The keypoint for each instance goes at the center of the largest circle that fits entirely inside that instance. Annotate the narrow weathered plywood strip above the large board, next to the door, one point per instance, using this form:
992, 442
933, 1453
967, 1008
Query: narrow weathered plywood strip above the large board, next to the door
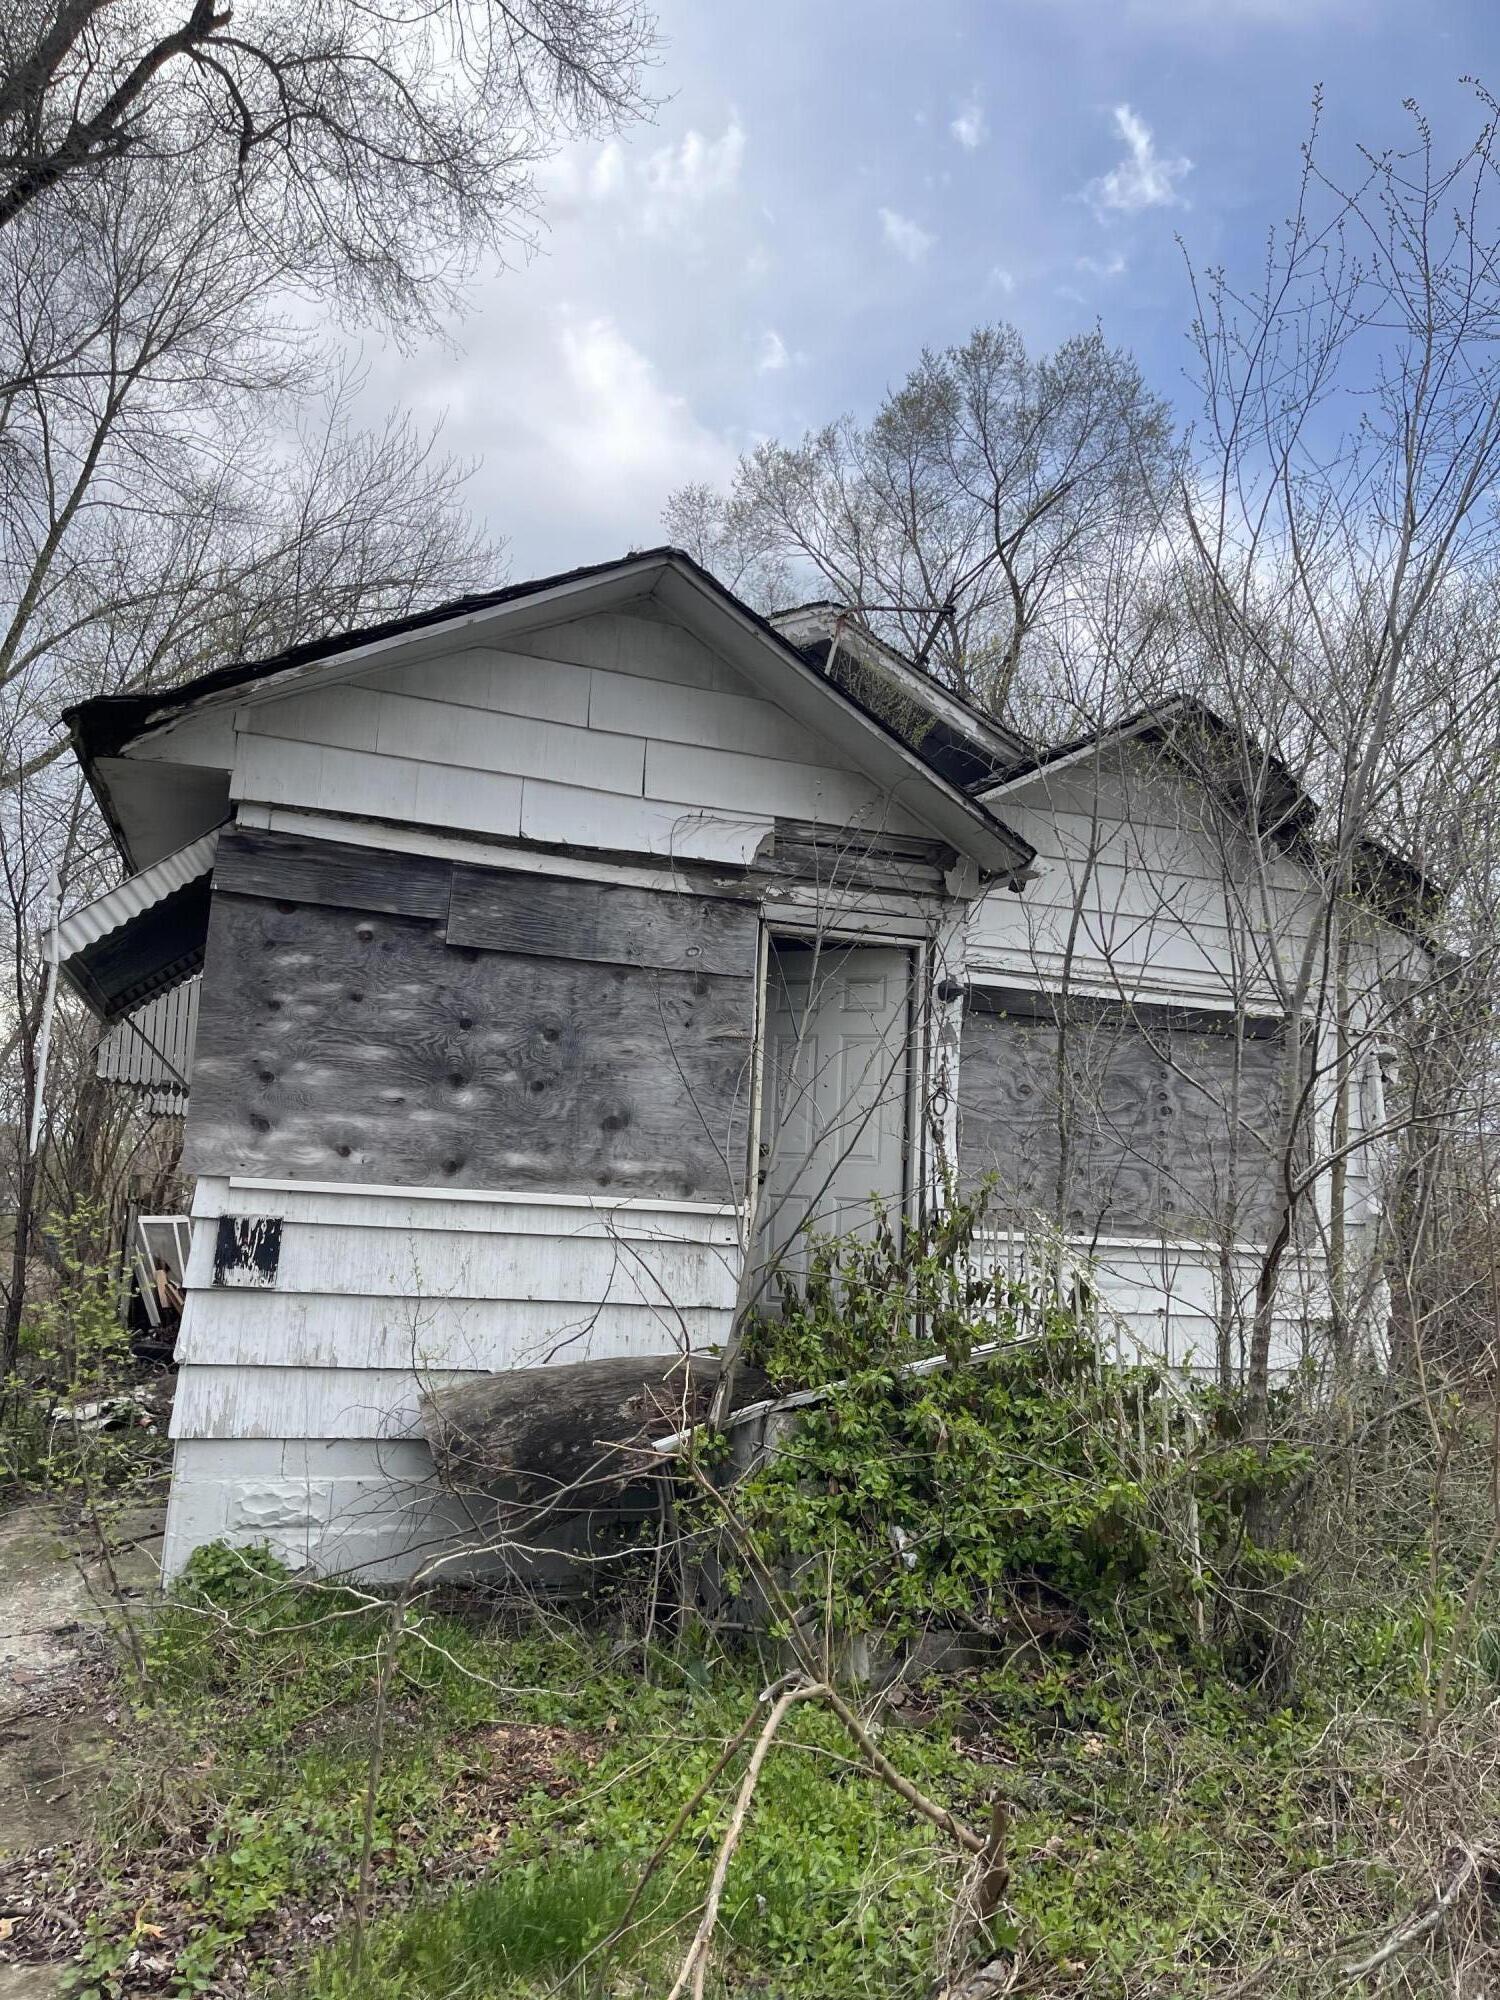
551, 917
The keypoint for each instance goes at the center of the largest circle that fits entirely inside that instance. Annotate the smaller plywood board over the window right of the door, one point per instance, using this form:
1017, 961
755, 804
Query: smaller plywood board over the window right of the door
1121, 1121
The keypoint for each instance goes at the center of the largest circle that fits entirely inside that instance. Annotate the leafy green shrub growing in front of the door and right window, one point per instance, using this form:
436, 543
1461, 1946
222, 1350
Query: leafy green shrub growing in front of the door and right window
1023, 1465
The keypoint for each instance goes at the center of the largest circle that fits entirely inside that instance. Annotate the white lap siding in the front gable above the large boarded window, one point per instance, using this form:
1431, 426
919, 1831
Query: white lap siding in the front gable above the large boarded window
617, 733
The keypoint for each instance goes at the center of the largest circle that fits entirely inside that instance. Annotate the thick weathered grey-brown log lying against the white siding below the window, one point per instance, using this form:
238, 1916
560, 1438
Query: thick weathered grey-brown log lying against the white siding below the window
577, 1435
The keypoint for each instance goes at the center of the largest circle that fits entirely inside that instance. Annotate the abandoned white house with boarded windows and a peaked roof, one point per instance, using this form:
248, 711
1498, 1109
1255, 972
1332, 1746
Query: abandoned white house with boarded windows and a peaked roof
541, 933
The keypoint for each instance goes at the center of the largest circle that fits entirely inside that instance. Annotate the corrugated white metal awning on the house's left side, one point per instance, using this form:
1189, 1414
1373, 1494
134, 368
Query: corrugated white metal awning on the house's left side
143, 937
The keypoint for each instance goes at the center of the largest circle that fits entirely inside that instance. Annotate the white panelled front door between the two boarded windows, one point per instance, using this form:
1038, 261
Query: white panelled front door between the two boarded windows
835, 1095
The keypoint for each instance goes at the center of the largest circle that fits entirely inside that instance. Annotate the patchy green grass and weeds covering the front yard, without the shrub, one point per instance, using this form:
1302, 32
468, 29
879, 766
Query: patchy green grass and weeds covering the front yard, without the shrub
1169, 1827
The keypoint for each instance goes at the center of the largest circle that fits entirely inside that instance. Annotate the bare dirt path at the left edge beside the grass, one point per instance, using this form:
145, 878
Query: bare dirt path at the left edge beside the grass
55, 1719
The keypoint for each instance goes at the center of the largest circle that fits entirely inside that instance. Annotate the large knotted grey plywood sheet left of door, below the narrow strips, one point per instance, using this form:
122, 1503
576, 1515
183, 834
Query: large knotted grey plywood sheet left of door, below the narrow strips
361, 1047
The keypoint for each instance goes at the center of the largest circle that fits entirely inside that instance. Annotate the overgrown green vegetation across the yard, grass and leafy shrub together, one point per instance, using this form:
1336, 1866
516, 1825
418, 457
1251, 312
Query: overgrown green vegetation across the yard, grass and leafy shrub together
347, 1795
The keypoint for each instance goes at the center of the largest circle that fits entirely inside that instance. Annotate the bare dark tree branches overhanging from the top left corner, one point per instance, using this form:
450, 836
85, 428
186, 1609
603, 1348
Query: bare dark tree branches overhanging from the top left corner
369, 151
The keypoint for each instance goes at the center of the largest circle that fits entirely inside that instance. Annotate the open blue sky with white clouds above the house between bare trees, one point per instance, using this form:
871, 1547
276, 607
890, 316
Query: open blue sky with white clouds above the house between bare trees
831, 187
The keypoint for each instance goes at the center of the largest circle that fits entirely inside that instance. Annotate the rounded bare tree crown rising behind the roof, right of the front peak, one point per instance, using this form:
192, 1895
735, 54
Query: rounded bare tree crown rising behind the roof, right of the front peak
965, 517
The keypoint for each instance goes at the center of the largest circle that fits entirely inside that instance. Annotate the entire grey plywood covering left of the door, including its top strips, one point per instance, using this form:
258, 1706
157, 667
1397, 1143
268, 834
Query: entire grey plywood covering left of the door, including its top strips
573, 1039
